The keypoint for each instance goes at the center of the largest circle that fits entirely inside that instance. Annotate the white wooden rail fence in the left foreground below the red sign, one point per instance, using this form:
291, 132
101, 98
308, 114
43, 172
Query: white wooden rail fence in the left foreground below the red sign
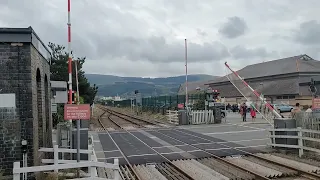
67, 164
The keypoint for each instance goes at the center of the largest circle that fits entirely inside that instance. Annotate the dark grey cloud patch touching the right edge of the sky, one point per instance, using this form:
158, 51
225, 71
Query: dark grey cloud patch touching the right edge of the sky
308, 33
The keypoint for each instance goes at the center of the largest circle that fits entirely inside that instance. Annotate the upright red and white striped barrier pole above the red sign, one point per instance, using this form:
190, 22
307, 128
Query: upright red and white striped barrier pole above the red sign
70, 55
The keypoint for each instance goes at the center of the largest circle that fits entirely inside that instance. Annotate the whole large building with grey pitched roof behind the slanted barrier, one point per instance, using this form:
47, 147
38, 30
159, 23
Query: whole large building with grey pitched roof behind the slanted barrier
283, 80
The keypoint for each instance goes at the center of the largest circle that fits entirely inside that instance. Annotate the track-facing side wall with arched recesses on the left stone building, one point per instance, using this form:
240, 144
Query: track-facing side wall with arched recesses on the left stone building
42, 120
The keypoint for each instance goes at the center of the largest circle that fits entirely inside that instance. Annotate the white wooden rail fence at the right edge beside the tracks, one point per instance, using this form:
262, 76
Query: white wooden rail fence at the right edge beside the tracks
301, 137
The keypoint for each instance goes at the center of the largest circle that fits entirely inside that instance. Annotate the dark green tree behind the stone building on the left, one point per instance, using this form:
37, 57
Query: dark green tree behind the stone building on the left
59, 72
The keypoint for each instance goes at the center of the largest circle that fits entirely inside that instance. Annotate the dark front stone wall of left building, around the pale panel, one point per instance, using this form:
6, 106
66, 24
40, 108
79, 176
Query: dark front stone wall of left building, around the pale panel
15, 78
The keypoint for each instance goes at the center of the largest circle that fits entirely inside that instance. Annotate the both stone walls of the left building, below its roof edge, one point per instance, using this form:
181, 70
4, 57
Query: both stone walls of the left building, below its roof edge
18, 74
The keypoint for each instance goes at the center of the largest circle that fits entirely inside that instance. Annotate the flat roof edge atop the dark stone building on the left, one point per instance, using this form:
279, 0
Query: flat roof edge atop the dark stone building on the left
24, 35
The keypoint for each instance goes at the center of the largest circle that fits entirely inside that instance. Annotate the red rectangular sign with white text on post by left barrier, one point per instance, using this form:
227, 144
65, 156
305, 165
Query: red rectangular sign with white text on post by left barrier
75, 112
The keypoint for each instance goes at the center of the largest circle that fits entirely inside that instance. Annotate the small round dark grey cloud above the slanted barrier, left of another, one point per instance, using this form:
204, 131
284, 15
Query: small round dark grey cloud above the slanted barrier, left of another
233, 28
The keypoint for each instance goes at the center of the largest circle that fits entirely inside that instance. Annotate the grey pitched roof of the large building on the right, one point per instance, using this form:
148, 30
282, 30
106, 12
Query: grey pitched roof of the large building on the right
300, 63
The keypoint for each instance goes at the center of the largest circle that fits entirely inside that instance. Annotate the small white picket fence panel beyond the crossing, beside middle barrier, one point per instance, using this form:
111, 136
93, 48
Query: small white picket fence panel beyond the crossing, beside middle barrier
202, 117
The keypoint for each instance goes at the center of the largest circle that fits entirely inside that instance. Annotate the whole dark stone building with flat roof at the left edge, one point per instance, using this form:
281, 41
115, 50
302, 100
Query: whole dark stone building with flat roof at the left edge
24, 95
